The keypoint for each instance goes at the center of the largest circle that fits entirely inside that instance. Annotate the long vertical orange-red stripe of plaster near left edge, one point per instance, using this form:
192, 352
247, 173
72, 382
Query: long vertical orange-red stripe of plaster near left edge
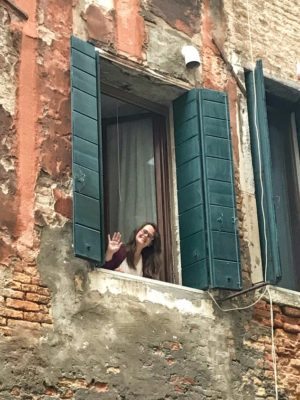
26, 125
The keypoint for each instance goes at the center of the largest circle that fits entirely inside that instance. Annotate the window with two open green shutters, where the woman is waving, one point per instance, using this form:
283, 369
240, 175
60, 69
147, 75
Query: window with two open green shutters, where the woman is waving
109, 158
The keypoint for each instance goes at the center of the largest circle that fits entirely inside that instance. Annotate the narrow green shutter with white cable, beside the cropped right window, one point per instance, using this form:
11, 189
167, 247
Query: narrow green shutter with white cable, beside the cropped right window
261, 158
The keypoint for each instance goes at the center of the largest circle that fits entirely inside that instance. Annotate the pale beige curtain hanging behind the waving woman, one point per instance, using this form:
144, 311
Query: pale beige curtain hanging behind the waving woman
131, 175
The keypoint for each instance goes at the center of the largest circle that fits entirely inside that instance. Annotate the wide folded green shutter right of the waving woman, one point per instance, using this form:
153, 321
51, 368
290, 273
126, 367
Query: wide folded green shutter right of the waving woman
206, 201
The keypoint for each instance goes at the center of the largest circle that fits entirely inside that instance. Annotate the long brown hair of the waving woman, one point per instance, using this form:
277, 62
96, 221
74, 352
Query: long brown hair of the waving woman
151, 255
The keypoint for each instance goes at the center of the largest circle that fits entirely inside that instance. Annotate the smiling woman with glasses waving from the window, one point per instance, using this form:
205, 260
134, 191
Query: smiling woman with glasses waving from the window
141, 255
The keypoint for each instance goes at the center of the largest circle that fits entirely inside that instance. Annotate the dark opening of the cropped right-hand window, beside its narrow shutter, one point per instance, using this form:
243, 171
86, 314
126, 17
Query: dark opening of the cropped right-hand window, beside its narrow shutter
285, 179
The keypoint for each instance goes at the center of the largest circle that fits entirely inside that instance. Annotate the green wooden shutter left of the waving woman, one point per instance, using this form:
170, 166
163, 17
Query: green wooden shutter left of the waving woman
87, 160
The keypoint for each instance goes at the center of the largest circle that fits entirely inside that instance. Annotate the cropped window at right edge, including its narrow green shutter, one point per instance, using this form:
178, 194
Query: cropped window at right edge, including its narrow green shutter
277, 114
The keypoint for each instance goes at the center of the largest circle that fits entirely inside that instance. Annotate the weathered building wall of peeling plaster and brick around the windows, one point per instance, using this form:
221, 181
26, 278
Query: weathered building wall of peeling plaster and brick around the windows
70, 331
